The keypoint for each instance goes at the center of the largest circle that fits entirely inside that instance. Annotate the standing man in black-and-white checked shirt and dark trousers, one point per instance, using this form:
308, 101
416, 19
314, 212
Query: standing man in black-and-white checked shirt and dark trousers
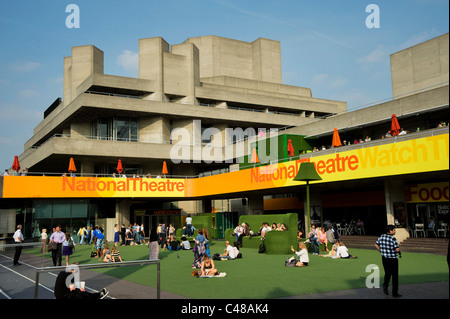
389, 248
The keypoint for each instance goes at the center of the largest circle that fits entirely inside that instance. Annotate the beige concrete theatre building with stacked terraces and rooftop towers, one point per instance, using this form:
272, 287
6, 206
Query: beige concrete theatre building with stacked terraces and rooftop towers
204, 93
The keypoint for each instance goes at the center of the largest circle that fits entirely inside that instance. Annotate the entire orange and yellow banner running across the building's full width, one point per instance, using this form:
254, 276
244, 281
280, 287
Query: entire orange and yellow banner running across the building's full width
407, 157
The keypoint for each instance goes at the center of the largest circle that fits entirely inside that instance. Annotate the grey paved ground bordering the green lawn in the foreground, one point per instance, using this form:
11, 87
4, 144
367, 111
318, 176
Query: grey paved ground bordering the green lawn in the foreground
18, 282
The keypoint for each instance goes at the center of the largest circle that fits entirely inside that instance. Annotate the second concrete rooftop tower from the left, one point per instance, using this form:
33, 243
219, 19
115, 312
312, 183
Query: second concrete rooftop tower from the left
151, 64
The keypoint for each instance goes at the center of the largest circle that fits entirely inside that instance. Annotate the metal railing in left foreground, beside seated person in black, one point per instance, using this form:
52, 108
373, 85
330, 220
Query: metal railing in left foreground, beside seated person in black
104, 265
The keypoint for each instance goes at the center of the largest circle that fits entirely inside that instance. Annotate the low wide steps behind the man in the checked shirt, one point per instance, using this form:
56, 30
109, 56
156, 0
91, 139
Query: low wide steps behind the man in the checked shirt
438, 246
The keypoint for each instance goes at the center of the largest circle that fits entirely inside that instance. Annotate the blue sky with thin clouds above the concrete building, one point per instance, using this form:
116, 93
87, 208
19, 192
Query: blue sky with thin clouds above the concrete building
325, 45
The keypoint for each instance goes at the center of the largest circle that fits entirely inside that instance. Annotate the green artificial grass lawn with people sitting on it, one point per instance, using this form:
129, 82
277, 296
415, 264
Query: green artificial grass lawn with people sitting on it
261, 276
